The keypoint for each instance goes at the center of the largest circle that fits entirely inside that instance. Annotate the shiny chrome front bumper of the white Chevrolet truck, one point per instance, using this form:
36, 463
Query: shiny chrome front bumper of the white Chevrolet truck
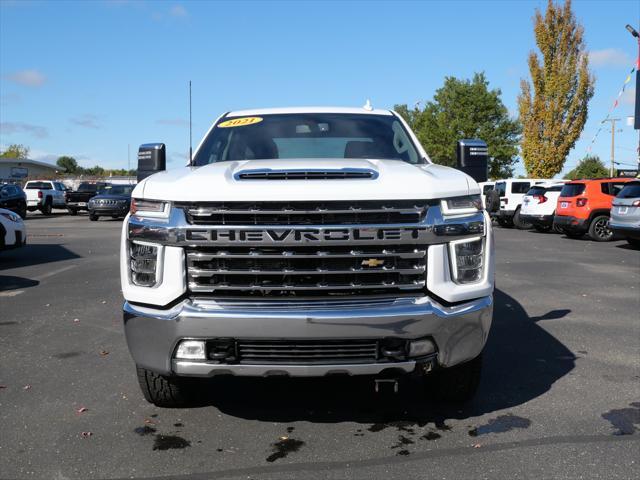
459, 332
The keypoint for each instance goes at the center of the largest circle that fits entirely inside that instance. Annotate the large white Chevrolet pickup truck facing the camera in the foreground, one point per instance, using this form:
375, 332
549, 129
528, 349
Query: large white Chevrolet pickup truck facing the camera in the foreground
307, 242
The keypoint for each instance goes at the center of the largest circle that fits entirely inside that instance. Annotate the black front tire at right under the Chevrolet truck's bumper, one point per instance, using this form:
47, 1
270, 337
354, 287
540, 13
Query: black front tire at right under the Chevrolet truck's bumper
458, 384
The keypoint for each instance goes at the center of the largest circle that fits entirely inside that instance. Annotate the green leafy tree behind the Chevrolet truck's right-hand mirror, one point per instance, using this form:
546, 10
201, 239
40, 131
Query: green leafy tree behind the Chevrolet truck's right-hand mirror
466, 109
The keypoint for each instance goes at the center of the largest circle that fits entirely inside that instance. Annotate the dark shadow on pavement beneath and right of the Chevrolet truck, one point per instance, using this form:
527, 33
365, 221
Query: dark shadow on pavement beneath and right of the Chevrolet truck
521, 362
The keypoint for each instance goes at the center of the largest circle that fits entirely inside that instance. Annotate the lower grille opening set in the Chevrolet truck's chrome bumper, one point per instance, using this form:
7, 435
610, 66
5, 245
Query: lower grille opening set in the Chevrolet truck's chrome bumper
323, 351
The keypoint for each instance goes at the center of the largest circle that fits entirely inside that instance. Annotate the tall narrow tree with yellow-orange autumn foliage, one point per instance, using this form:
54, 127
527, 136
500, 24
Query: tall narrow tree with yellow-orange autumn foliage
553, 107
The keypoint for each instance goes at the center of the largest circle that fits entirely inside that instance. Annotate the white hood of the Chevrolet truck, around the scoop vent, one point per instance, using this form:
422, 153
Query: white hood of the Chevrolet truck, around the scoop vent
393, 179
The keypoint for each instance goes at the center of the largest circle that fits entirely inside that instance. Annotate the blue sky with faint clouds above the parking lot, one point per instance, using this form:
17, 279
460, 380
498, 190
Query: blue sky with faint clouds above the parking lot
89, 78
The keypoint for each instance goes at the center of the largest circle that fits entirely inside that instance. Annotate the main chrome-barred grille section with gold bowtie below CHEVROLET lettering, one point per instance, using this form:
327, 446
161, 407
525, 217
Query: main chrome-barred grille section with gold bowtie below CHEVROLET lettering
325, 270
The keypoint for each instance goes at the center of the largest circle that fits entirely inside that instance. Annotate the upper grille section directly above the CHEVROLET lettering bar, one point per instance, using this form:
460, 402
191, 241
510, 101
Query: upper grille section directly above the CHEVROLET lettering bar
373, 212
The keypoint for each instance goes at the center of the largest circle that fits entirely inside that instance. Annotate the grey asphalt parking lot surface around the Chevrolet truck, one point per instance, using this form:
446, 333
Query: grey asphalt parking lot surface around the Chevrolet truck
560, 395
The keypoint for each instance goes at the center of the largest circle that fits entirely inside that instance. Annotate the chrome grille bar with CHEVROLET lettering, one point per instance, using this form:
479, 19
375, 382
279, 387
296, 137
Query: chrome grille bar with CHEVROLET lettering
293, 236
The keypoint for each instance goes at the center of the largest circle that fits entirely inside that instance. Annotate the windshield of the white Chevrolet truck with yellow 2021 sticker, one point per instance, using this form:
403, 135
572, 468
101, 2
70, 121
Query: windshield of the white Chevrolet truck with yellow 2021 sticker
312, 135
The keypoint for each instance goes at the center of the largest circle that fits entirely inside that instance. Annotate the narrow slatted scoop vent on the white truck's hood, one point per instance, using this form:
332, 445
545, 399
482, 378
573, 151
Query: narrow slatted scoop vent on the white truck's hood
307, 174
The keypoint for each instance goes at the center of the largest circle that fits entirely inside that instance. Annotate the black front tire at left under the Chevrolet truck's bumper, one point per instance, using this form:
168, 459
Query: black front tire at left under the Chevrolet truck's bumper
169, 392
